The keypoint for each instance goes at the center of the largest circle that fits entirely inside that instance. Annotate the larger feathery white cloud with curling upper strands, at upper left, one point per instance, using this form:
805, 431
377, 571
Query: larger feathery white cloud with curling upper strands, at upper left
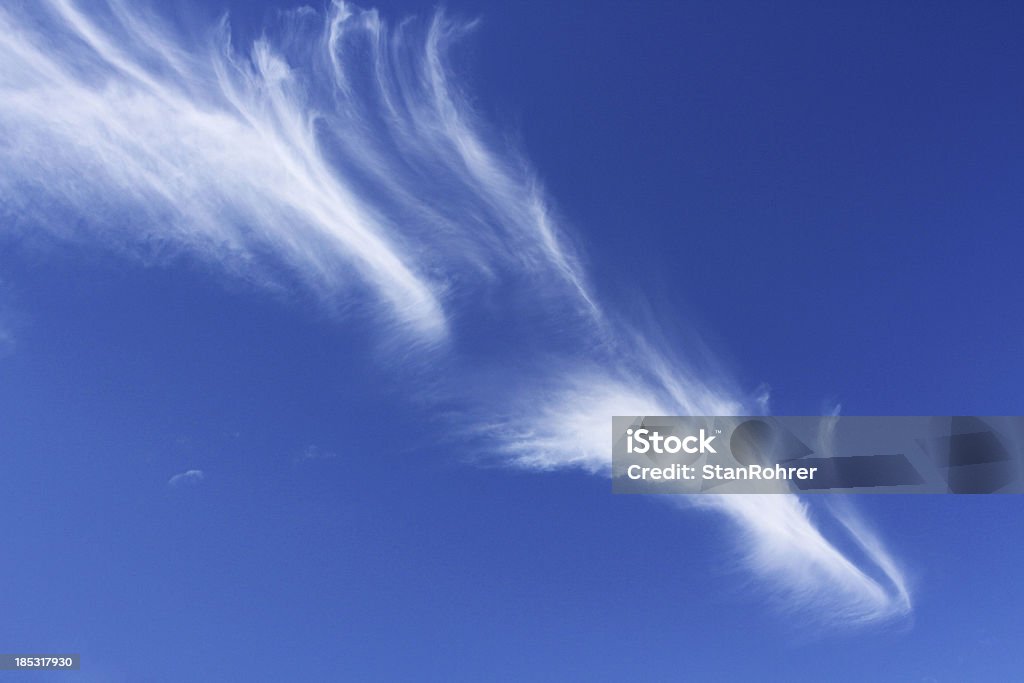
146, 138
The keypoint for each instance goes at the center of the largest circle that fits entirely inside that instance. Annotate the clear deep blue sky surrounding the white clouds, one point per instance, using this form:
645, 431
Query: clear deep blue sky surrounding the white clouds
829, 194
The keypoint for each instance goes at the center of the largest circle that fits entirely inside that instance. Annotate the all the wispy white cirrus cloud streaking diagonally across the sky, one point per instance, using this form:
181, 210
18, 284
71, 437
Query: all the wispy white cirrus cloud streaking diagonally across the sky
338, 154
